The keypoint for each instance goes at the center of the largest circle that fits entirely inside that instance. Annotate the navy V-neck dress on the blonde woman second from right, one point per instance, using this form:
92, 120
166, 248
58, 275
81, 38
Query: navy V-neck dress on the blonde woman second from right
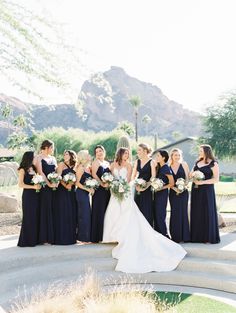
179, 224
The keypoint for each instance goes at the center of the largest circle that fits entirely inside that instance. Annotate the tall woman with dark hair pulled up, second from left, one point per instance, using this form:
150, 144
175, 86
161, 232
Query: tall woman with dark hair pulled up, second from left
45, 164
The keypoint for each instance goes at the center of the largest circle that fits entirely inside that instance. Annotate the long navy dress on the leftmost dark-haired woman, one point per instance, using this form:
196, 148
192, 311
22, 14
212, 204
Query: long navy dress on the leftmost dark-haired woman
30, 221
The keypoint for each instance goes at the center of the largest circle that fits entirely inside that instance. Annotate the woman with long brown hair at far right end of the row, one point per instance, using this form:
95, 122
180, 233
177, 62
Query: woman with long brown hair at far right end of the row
204, 221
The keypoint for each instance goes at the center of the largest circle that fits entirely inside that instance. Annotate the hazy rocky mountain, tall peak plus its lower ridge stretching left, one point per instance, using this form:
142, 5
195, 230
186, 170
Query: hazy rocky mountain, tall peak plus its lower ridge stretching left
106, 102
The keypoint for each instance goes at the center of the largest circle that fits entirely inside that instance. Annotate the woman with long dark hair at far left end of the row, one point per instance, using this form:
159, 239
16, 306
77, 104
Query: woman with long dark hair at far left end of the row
30, 202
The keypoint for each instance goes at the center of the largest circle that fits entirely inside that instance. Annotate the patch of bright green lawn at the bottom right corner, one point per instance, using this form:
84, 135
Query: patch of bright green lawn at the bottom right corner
187, 303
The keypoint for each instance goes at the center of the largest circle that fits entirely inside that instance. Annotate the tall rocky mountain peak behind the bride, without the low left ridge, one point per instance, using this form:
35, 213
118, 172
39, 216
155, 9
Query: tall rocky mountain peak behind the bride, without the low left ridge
106, 96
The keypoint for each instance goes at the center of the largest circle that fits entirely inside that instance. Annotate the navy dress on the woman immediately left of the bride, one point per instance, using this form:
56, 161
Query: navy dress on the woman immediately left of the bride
100, 202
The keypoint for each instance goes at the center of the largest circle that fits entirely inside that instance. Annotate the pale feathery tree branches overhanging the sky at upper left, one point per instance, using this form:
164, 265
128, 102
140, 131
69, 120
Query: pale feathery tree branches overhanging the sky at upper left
35, 51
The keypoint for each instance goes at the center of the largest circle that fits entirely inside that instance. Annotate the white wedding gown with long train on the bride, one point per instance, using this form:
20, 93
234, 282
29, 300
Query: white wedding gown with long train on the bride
140, 248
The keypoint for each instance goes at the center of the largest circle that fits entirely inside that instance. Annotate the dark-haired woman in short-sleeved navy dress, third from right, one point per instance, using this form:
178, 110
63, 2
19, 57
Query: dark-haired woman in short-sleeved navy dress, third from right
161, 196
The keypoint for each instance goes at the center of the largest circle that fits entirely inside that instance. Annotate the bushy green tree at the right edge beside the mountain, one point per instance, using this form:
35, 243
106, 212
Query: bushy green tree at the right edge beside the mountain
220, 127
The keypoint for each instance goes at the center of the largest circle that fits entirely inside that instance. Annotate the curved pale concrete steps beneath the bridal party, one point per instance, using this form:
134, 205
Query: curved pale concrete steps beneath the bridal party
212, 267
